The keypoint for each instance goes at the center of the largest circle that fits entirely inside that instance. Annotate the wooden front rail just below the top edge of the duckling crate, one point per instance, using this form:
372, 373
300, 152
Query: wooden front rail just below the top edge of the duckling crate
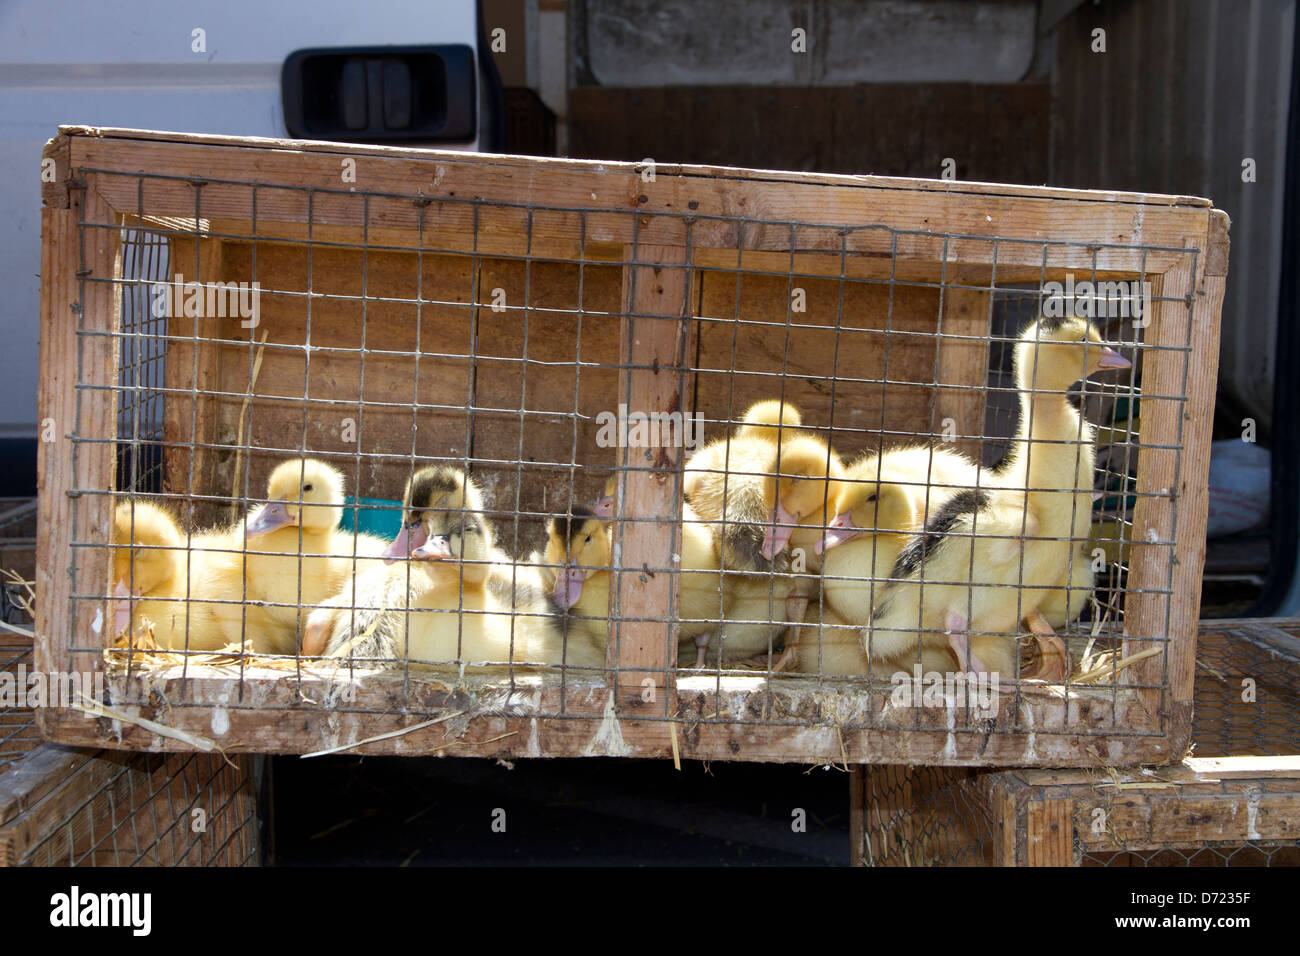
616, 213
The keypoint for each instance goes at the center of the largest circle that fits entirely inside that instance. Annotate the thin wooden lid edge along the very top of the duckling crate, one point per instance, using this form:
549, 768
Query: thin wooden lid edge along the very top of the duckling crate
528, 163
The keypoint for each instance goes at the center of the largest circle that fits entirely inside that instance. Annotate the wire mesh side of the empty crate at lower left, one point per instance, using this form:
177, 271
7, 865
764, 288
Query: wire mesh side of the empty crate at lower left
150, 811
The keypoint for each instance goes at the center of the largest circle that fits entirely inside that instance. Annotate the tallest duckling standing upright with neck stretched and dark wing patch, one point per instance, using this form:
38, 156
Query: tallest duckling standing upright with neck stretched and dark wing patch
990, 559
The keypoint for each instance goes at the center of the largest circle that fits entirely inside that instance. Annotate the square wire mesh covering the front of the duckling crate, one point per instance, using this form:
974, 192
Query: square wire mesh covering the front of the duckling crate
259, 364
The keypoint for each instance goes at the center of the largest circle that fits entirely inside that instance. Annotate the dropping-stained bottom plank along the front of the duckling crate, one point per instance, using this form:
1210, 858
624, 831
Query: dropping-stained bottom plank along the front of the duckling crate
808, 723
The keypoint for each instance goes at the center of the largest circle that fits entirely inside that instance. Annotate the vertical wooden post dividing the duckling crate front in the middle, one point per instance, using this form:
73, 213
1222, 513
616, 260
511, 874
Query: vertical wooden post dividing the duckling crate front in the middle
645, 589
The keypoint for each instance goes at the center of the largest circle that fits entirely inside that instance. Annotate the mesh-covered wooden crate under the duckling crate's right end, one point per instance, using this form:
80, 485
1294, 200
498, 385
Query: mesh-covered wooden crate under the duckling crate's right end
1236, 803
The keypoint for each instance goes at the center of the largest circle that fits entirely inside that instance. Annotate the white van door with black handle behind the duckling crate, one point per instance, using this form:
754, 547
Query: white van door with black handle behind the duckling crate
397, 71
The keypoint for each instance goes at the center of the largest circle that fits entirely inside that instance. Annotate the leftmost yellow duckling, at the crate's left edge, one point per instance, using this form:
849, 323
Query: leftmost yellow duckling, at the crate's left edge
155, 581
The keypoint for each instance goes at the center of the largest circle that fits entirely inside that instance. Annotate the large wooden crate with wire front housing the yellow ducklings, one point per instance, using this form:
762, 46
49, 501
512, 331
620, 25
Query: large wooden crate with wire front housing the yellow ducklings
495, 308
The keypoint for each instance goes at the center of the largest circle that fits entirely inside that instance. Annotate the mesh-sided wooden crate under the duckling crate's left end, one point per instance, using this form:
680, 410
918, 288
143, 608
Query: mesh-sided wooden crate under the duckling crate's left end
70, 807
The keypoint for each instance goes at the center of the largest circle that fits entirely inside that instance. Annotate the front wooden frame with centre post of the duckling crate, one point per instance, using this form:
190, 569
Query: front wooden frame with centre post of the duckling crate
662, 228
